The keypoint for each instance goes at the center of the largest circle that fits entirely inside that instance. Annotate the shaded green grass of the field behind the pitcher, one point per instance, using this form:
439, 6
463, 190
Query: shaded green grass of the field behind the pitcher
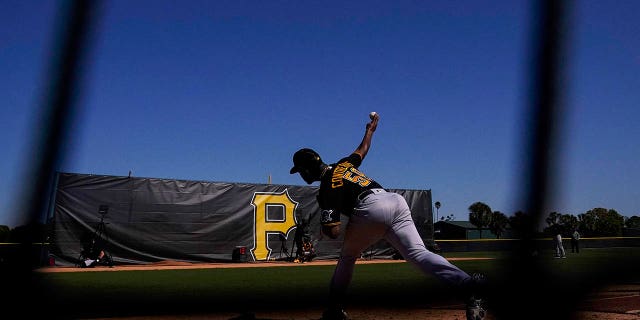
205, 290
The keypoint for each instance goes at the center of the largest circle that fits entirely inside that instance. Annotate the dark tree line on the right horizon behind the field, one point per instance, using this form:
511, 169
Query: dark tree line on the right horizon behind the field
597, 222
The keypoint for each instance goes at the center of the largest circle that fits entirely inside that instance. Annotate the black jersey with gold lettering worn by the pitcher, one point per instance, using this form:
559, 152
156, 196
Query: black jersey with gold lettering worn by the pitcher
341, 185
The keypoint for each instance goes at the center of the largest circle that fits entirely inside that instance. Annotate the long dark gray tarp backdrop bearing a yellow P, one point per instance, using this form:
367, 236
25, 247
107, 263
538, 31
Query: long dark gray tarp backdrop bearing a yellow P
150, 220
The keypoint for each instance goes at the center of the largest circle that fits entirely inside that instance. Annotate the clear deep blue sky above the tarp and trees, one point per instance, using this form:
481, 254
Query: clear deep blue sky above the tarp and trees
227, 91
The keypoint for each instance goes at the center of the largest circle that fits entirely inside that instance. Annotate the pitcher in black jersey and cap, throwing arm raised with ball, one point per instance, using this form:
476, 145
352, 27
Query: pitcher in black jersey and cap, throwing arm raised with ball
374, 214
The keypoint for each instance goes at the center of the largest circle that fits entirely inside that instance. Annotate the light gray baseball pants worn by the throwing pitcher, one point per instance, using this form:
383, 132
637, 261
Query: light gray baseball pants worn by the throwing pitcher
386, 215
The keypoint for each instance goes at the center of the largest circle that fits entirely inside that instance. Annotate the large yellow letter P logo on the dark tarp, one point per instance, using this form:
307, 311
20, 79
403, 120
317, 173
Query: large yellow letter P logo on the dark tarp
273, 214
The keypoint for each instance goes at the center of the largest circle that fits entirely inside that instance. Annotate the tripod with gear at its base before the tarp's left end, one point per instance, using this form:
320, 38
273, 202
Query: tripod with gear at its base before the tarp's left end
94, 252
